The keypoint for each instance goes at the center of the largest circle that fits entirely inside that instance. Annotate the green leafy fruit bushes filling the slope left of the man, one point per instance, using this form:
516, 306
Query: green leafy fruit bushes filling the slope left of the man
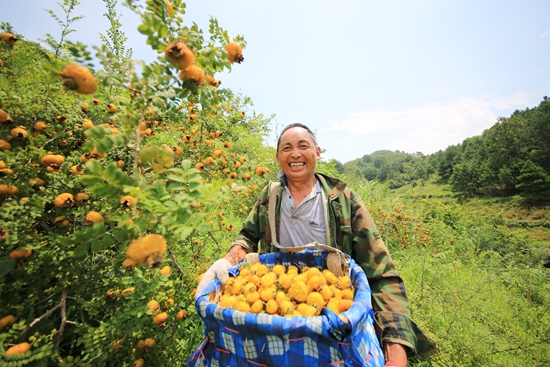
141, 135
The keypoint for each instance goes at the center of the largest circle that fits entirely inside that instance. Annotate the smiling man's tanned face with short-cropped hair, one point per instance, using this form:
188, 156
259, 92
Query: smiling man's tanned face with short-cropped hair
297, 154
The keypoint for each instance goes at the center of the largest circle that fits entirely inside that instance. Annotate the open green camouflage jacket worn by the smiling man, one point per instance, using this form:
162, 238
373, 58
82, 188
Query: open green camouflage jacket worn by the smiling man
353, 231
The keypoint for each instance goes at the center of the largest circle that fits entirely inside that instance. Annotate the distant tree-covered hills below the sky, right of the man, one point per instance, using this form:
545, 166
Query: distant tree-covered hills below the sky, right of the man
510, 158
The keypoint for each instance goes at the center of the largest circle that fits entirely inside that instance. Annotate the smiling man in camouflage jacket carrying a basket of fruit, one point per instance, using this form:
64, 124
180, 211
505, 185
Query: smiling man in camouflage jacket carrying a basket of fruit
314, 207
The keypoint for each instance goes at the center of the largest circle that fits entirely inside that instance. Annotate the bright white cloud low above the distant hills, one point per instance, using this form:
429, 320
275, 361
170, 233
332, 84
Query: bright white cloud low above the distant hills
426, 128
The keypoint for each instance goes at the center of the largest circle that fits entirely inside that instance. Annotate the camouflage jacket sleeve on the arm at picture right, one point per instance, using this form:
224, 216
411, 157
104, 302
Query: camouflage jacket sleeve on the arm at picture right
390, 302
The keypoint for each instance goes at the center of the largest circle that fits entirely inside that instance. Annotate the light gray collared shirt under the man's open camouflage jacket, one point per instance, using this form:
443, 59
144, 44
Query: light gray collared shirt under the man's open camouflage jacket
304, 224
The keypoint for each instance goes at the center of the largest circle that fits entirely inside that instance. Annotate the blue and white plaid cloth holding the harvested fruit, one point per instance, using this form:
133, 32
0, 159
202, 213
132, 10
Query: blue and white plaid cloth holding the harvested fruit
234, 338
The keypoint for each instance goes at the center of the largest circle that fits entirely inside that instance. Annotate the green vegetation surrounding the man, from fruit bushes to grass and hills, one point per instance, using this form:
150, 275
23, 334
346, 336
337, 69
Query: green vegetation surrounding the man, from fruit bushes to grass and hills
113, 203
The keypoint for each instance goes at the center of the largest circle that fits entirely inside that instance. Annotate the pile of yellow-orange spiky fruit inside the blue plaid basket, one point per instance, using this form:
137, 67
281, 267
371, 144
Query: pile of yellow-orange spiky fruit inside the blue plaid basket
286, 291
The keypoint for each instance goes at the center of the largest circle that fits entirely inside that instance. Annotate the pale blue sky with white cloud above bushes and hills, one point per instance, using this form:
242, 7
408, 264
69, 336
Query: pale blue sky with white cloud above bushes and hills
414, 76
